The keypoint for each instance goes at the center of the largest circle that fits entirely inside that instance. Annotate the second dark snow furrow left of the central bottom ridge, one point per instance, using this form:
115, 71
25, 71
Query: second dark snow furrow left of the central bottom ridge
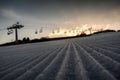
37, 69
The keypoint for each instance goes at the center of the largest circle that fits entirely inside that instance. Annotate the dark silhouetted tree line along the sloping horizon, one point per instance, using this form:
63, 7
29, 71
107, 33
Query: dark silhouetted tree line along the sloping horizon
42, 39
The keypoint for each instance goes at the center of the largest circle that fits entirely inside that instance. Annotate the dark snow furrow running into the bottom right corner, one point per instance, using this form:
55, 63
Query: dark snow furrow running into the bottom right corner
108, 63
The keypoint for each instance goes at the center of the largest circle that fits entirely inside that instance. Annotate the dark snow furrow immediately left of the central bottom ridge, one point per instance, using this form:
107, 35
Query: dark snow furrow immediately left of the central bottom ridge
52, 69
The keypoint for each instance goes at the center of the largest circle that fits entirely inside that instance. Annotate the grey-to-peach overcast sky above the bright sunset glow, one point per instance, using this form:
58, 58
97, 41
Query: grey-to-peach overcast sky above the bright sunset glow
53, 13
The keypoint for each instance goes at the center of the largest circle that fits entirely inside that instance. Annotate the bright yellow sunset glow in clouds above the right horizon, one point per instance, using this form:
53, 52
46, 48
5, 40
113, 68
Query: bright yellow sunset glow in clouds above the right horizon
77, 30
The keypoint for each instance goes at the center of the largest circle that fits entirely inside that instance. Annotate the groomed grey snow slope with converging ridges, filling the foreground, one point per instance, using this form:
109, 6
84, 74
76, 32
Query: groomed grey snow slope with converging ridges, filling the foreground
89, 58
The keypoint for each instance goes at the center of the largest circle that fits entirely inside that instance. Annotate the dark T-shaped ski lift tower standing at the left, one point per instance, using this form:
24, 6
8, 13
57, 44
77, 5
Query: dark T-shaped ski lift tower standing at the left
16, 27
